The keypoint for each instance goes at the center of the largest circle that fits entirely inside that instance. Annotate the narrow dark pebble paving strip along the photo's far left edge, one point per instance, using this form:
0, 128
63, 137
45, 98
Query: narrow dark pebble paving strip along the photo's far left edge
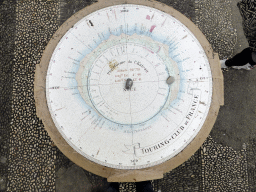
7, 30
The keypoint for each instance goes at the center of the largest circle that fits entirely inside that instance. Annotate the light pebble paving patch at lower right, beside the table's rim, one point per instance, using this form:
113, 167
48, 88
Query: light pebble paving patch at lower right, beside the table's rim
223, 169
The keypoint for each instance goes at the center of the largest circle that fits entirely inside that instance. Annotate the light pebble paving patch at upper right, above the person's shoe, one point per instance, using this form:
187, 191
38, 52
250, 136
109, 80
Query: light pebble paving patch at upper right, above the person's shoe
213, 17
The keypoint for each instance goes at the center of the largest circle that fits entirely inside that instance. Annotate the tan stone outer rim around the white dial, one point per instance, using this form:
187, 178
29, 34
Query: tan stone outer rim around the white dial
155, 172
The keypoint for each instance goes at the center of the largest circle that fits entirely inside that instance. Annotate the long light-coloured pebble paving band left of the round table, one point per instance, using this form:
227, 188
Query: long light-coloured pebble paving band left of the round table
31, 152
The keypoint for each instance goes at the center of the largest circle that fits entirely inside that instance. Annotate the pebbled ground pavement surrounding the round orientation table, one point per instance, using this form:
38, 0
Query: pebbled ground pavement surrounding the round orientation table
29, 160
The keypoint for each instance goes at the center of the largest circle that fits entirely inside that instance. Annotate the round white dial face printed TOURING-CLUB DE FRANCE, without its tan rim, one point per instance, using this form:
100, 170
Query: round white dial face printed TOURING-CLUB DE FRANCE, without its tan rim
147, 24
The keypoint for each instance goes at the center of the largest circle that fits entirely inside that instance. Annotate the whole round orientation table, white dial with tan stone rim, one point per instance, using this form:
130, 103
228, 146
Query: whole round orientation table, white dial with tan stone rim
128, 90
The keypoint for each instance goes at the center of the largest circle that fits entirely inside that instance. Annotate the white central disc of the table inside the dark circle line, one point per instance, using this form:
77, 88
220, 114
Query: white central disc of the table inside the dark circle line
118, 104
